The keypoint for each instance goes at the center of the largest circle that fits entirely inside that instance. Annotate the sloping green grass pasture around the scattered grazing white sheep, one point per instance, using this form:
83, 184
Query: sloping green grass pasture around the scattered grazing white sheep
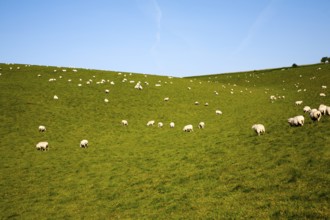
224, 171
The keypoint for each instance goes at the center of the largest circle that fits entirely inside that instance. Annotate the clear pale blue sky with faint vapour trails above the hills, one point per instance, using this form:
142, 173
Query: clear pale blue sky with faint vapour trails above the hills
165, 37
